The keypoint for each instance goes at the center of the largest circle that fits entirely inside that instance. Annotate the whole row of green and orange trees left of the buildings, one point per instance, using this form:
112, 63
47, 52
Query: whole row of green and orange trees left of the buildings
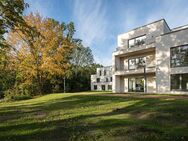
40, 55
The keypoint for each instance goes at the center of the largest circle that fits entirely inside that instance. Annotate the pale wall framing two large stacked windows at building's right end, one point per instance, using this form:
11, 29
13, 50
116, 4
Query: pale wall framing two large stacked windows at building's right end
163, 45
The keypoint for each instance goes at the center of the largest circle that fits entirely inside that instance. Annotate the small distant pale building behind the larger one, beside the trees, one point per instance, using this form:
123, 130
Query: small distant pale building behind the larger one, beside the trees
102, 80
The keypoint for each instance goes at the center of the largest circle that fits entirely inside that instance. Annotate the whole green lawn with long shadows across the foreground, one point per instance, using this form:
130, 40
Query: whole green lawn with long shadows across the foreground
95, 117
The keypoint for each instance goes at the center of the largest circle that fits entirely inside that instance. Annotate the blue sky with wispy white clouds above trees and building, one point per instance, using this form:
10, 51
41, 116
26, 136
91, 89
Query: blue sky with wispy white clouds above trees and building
98, 22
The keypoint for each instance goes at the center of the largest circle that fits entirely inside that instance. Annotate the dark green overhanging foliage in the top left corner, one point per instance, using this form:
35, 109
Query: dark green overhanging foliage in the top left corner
11, 12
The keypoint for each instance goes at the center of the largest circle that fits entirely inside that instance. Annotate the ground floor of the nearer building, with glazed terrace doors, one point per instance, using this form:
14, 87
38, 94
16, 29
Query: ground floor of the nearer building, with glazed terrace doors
151, 83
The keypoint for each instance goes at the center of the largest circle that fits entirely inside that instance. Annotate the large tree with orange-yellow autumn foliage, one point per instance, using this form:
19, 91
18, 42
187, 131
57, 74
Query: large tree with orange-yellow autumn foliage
39, 58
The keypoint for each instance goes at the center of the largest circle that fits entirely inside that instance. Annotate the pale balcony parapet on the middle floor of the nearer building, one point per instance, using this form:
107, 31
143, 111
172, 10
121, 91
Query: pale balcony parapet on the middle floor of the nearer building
122, 71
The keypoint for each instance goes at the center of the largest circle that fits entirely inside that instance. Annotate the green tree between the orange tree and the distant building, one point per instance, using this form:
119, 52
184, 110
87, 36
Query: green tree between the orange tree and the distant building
82, 66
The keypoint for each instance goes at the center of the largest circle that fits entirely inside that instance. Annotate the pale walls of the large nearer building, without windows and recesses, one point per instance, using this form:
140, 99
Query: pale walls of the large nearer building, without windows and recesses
161, 39
